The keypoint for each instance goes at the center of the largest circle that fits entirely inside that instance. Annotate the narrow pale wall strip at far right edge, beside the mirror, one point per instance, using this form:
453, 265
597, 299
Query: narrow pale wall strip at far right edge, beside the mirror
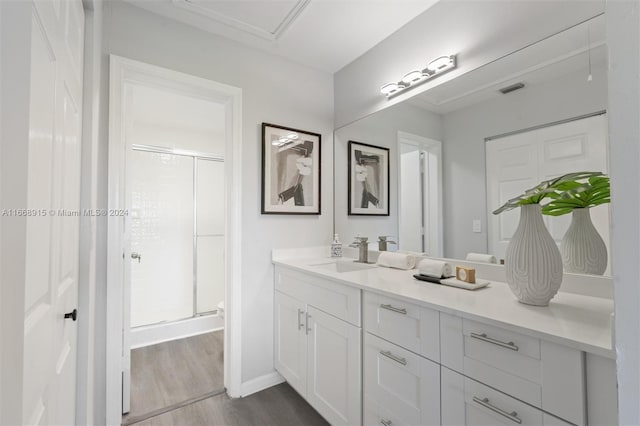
623, 39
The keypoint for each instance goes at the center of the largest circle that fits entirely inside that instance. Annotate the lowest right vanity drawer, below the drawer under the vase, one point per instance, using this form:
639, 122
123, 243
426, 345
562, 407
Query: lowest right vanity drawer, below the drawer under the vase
468, 402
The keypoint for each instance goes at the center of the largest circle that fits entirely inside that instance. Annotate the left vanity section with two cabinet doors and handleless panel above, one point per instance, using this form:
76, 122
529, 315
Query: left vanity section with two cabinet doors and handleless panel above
318, 342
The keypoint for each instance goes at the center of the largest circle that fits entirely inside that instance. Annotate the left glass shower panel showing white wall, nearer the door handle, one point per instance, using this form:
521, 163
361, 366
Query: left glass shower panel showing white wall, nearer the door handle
162, 229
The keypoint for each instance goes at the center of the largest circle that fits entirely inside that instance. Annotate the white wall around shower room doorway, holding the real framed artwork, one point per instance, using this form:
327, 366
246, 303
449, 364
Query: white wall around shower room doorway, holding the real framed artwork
274, 90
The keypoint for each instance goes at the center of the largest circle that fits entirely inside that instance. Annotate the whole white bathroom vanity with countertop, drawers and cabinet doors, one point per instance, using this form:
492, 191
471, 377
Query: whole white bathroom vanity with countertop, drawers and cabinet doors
371, 345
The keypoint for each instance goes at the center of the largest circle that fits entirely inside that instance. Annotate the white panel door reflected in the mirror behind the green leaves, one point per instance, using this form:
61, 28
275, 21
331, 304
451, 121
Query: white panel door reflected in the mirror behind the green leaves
518, 162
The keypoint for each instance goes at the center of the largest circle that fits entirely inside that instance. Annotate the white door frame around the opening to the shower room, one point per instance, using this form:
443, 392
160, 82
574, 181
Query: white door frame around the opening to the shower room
122, 71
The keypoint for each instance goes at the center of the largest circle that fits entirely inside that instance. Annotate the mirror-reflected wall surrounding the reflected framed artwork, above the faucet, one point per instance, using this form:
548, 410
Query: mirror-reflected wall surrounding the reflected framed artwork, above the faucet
380, 129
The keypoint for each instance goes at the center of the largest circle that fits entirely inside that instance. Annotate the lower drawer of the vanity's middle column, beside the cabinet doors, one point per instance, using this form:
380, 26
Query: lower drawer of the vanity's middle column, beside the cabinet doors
400, 386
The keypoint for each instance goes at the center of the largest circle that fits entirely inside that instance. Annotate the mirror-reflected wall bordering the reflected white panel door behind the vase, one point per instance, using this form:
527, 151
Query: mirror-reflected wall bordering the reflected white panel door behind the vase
464, 148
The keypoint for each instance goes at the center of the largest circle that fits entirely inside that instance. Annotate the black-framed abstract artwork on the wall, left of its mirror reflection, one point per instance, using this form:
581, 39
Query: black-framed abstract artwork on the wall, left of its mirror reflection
290, 170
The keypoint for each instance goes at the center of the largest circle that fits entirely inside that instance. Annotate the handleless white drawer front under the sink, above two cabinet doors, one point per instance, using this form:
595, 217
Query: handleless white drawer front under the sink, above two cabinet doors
339, 300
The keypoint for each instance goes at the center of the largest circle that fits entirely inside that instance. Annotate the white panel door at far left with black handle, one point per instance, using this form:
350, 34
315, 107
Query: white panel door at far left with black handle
53, 188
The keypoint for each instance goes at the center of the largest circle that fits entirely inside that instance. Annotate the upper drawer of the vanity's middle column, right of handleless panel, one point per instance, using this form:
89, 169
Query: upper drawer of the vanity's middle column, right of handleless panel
408, 325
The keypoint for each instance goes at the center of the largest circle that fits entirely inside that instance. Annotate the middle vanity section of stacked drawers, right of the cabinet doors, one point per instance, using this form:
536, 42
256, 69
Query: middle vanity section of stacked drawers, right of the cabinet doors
401, 372
